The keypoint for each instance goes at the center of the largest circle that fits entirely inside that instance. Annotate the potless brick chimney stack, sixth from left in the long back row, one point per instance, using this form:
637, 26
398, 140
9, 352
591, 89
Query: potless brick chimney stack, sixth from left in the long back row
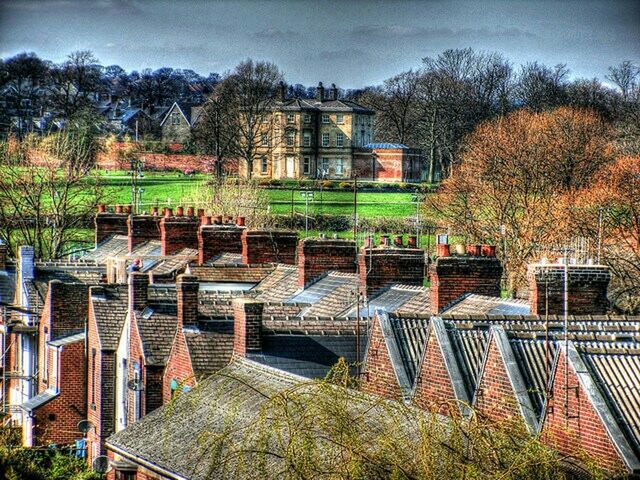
317, 256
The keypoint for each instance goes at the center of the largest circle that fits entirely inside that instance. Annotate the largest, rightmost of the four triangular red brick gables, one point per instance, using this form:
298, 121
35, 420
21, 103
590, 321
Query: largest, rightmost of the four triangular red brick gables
580, 432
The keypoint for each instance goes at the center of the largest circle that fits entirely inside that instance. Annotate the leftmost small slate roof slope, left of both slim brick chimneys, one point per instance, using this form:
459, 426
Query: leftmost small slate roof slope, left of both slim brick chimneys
109, 303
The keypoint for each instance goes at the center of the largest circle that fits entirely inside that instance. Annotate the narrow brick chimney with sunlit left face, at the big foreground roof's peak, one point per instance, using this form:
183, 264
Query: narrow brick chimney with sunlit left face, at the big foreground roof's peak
247, 326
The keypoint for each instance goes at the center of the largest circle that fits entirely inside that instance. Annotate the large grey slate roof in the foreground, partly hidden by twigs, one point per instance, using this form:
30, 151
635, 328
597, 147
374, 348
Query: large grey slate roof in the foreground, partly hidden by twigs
179, 437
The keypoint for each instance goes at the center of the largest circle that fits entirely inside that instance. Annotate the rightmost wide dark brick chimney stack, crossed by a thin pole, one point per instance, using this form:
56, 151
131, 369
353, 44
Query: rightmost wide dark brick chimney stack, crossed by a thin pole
587, 287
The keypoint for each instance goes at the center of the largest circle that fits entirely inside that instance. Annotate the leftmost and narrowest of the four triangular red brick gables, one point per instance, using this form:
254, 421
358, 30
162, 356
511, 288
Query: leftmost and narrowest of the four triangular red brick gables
379, 377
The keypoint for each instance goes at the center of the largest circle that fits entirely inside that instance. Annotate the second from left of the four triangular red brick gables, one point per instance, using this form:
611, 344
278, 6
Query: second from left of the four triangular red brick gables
434, 390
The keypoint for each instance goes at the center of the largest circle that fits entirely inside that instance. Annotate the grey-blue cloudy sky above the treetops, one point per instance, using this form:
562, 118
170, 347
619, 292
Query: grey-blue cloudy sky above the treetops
351, 43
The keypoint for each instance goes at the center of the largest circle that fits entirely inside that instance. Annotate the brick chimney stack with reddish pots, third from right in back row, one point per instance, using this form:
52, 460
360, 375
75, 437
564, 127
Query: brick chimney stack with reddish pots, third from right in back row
385, 265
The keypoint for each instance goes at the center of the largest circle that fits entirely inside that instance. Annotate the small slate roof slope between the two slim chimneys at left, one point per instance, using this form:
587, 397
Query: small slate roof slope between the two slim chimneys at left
157, 331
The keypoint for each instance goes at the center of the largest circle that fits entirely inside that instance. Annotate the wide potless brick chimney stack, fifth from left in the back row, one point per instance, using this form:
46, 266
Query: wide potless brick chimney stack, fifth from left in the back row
269, 247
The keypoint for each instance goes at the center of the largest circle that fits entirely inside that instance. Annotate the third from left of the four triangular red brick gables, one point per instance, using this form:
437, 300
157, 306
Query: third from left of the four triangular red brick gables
495, 396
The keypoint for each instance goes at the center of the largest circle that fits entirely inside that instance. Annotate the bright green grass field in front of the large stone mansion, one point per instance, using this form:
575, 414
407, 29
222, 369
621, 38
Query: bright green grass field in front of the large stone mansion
169, 189
